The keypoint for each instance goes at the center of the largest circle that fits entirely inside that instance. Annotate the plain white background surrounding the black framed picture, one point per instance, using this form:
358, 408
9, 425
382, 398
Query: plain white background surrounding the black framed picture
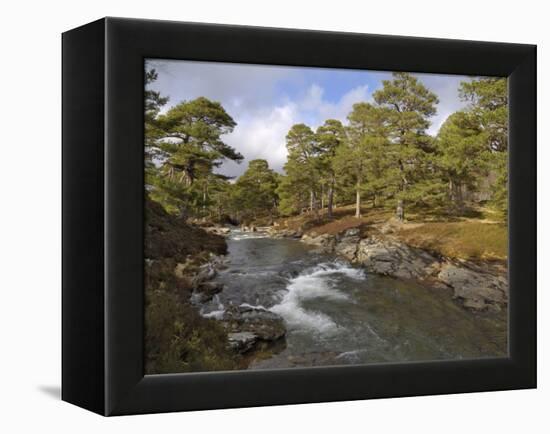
30, 81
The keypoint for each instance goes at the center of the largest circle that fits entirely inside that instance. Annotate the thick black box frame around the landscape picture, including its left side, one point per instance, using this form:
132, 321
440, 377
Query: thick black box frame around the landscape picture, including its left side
103, 198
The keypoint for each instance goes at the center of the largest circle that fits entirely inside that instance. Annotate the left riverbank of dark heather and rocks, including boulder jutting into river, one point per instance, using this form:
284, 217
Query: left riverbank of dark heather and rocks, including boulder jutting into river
182, 262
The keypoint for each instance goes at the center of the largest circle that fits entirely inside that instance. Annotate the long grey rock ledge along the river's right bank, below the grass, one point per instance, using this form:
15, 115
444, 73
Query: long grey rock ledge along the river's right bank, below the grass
477, 286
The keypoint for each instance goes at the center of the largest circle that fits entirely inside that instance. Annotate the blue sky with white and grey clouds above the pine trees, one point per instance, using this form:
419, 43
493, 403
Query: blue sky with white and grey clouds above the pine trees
265, 101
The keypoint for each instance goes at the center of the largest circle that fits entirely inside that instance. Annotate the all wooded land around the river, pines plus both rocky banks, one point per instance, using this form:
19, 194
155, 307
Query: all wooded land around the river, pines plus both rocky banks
379, 192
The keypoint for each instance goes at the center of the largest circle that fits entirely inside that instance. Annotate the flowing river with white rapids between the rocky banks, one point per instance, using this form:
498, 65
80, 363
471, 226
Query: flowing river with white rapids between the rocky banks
336, 313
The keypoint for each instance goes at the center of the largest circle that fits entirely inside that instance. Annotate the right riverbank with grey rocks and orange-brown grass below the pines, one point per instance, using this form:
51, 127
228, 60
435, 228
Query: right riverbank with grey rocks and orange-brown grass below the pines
465, 256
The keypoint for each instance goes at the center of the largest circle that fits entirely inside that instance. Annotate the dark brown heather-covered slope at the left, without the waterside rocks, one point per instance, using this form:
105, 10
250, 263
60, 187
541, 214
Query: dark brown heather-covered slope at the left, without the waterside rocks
178, 338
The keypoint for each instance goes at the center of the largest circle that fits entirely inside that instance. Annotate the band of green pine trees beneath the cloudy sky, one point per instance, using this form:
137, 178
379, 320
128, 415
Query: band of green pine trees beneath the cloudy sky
382, 157
